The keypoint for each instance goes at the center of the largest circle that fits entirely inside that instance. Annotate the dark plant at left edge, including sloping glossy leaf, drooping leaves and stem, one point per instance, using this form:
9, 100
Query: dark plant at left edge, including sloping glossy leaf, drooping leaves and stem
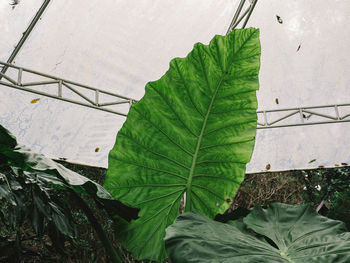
28, 186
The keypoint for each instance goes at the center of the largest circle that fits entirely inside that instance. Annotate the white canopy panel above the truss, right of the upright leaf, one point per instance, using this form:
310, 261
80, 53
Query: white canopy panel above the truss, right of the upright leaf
305, 59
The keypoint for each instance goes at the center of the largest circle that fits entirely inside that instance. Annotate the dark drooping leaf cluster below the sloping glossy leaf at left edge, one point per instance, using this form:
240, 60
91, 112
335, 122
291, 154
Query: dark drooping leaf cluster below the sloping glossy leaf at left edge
29, 196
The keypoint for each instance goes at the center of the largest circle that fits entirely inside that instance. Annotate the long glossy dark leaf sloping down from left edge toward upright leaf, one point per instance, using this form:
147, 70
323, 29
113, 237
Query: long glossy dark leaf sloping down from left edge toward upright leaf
46, 170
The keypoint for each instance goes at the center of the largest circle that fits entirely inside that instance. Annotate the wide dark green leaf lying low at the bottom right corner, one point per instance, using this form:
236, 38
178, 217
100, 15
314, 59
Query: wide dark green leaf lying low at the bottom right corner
280, 233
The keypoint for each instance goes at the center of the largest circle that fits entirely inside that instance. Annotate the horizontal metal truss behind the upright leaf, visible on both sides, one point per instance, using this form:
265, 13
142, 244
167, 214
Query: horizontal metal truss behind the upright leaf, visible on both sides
103, 100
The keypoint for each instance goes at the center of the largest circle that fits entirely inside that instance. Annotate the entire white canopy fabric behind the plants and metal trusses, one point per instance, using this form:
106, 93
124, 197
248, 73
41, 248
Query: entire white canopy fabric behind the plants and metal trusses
119, 46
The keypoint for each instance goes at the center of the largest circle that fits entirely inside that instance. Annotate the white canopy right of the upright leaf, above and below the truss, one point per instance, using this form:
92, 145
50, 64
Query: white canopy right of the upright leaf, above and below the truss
305, 62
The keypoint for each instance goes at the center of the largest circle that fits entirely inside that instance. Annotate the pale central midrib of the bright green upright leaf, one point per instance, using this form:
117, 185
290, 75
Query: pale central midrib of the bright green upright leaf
188, 205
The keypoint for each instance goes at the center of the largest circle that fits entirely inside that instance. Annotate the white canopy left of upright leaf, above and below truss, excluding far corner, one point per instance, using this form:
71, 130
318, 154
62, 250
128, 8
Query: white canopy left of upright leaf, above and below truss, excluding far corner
113, 45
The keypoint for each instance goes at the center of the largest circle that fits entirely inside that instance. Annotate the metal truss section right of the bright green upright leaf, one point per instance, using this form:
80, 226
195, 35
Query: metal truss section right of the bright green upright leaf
313, 115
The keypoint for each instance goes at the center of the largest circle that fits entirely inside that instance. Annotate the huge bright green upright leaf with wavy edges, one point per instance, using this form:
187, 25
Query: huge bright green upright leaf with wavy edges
192, 133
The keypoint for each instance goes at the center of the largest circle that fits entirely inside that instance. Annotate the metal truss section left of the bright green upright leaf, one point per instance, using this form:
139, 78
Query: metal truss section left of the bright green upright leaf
63, 89
